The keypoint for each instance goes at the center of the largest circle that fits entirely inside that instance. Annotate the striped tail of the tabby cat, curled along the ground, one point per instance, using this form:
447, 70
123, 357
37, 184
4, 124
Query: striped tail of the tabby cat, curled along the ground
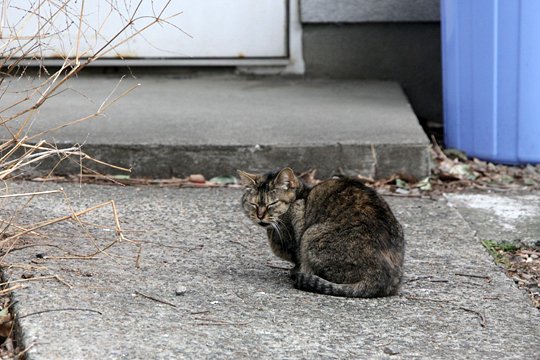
316, 284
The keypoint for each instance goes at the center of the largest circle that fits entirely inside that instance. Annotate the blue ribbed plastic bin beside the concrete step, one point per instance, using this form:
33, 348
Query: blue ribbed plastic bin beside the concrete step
491, 78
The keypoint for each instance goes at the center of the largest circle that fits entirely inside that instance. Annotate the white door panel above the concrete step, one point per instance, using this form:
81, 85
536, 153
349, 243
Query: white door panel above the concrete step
201, 29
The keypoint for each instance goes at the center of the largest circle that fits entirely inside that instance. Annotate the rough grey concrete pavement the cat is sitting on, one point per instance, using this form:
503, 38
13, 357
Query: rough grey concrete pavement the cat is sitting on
209, 287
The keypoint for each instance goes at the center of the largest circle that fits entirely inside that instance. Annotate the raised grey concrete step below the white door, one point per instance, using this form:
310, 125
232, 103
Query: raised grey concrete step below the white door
213, 125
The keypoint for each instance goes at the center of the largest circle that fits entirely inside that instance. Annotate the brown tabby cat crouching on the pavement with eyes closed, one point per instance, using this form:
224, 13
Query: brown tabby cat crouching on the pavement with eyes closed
341, 236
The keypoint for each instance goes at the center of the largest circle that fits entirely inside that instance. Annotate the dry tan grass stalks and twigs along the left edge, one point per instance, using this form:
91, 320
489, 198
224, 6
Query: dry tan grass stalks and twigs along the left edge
32, 29
